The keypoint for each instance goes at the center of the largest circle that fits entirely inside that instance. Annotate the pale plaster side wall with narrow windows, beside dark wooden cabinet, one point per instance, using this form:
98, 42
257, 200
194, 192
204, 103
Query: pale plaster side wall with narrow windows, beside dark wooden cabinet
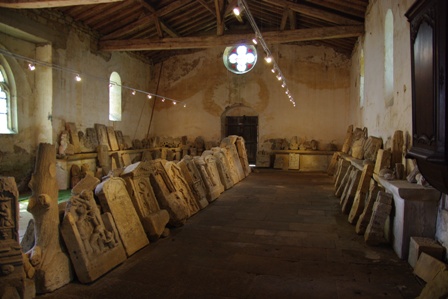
382, 116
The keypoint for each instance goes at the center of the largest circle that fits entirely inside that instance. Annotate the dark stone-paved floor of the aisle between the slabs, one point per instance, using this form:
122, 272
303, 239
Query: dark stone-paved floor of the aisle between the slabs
276, 234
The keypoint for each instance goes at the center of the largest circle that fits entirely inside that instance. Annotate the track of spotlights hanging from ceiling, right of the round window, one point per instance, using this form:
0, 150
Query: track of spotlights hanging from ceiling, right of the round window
259, 39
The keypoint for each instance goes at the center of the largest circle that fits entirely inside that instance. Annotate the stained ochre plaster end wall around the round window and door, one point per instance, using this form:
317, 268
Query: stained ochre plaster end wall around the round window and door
317, 77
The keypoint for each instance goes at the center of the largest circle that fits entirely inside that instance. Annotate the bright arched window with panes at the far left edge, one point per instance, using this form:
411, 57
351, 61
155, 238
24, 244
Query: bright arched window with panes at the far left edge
8, 106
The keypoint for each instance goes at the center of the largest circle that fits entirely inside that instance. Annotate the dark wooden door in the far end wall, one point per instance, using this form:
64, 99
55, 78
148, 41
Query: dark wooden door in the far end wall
246, 127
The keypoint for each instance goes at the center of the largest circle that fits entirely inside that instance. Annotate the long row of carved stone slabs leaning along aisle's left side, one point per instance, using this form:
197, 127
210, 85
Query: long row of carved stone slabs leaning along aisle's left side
138, 206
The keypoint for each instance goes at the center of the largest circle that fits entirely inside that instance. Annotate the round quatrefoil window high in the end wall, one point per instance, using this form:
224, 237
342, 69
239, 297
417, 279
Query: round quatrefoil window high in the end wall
240, 59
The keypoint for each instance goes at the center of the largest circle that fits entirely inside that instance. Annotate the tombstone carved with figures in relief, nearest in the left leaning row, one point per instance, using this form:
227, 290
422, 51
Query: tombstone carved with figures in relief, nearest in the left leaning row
91, 238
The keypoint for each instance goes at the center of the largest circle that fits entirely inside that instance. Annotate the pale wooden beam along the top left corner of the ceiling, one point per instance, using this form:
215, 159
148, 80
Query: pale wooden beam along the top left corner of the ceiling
49, 3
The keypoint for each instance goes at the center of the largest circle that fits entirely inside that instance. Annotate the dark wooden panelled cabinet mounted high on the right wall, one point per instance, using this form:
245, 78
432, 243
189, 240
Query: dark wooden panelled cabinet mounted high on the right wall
428, 26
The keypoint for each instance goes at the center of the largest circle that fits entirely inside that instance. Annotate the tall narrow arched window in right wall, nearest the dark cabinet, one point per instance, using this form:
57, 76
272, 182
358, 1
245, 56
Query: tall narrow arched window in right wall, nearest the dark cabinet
389, 58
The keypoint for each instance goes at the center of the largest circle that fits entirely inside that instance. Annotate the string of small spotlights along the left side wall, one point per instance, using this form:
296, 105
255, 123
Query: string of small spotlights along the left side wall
32, 63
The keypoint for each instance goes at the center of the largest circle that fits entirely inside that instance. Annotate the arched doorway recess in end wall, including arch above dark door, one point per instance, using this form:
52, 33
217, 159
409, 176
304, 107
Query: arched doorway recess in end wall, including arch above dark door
242, 120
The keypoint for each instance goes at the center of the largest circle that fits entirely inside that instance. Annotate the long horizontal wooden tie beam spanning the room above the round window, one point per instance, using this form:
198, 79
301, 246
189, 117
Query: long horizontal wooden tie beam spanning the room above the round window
225, 40
